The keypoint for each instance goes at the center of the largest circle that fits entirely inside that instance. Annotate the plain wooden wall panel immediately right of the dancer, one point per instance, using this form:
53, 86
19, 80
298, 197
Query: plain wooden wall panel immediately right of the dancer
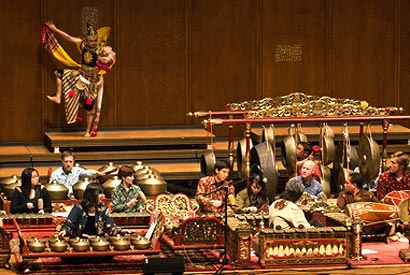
153, 63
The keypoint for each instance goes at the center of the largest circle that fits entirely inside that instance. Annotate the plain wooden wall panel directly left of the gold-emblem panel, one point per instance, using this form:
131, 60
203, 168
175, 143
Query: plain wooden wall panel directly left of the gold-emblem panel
224, 40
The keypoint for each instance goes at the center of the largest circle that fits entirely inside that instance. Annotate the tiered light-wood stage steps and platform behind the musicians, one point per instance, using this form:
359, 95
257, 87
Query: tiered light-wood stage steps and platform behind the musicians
174, 152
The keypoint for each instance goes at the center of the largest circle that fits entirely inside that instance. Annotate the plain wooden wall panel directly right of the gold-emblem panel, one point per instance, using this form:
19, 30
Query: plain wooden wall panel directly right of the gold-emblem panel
364, 48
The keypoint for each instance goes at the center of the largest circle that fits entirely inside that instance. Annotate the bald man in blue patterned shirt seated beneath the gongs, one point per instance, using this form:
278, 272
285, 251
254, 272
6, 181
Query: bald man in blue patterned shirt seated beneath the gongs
312, 187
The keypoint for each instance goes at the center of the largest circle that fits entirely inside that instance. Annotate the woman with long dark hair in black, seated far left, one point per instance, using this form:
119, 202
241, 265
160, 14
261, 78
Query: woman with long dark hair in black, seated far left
31, 196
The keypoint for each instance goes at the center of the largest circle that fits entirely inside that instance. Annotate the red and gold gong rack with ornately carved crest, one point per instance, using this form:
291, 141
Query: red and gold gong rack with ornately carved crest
297, 108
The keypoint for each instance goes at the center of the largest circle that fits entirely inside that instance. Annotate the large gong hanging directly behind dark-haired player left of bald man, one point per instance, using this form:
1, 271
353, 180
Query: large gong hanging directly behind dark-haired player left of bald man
264, 156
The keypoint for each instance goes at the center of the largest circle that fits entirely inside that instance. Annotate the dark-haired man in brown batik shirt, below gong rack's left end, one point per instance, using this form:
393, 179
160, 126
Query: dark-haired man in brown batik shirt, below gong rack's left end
211, 193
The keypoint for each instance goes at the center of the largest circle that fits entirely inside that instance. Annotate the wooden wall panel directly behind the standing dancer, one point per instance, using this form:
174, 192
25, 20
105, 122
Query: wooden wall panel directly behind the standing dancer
70, 21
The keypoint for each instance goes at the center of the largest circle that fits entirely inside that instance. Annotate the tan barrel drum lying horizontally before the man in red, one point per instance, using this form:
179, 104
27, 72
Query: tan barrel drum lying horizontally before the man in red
370, 212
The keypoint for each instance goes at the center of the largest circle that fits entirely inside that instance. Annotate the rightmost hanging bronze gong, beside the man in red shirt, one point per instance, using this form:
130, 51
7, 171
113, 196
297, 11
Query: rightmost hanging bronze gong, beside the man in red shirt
369, 158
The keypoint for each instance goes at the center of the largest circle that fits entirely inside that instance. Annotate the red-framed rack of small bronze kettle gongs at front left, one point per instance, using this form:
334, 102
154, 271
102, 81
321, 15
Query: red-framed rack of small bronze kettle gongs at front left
31, 241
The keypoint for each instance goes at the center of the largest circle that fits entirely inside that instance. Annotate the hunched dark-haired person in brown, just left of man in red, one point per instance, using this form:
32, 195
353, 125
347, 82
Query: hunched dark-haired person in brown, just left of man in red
354, 192
